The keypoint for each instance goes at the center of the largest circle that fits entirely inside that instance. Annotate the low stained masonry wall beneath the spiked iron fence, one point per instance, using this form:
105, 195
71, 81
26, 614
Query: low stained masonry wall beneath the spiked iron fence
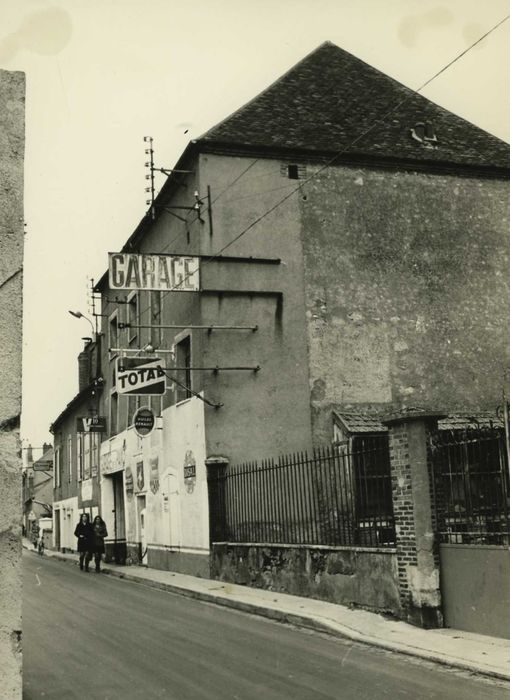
365, 577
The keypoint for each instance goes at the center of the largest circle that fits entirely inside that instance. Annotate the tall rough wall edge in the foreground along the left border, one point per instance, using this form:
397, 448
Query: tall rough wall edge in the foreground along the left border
12, 140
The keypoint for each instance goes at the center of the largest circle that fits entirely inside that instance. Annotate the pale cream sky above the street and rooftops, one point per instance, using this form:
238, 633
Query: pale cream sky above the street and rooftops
101, 74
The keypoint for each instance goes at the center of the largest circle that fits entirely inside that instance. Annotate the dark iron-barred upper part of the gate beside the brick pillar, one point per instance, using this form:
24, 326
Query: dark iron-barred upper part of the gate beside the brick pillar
471, 483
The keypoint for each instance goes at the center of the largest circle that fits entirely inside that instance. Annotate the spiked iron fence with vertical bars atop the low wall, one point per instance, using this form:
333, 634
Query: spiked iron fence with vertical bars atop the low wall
338, 495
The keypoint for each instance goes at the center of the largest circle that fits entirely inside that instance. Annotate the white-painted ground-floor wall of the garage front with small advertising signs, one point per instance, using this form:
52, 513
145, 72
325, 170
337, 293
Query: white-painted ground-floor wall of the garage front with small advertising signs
176, 508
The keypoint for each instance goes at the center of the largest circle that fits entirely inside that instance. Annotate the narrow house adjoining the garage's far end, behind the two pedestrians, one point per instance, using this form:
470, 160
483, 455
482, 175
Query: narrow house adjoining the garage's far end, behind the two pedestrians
76, 452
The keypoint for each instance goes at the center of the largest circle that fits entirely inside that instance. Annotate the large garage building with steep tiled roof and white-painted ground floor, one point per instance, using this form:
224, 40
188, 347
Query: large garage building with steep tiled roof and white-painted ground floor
342, 249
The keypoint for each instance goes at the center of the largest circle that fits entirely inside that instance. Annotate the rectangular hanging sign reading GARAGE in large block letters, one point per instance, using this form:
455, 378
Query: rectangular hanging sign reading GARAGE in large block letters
166, 273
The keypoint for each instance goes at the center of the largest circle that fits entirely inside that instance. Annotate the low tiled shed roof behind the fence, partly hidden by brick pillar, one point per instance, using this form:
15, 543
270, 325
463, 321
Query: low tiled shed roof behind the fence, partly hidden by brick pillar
355, 422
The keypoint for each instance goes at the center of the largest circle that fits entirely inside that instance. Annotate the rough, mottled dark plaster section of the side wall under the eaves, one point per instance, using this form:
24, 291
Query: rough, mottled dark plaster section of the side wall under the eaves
406, 290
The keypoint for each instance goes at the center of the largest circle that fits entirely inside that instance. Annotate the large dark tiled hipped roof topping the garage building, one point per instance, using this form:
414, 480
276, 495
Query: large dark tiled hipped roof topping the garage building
330, 98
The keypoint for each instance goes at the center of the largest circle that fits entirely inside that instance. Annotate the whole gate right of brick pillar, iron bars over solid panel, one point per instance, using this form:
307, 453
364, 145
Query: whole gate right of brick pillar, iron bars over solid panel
472, 499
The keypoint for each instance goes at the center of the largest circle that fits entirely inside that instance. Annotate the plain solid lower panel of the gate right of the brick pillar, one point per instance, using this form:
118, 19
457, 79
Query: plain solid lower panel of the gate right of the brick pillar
475, 584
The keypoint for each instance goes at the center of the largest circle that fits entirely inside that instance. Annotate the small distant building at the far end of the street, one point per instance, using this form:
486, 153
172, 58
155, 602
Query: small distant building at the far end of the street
37, 486
